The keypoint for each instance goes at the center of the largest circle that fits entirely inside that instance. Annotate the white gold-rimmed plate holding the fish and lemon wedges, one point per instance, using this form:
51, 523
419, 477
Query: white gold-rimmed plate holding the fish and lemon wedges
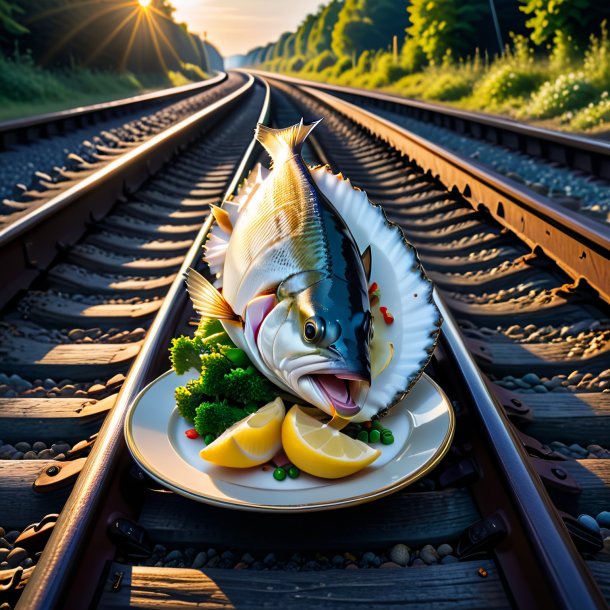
422, 424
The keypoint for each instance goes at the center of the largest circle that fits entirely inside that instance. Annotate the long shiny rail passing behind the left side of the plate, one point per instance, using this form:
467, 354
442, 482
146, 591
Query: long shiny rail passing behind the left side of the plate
51, 578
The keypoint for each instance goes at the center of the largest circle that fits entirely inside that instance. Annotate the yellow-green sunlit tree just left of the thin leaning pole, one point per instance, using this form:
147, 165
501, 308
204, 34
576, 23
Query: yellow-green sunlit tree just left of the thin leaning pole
438, 26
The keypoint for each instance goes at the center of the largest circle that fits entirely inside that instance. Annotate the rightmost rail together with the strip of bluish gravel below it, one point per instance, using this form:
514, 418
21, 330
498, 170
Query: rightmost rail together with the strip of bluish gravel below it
566, 172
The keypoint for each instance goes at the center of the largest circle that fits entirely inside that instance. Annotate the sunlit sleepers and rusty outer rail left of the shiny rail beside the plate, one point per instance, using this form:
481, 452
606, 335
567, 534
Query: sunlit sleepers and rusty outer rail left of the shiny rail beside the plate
70, 338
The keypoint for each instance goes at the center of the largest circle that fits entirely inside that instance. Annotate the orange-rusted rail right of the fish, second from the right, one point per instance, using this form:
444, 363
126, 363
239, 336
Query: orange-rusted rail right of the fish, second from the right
581, 247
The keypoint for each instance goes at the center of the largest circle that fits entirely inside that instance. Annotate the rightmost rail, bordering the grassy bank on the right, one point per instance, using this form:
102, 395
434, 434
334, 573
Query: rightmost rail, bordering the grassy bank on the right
577, 151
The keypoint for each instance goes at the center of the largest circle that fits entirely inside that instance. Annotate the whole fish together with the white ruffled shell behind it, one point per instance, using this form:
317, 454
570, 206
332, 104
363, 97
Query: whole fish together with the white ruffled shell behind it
293, 254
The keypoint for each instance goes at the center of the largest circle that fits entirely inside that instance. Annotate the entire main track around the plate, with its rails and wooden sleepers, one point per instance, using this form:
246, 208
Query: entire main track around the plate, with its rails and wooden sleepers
94, 294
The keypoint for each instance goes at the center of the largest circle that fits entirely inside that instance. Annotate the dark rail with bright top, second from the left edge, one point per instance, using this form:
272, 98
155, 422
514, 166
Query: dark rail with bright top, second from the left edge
31, 242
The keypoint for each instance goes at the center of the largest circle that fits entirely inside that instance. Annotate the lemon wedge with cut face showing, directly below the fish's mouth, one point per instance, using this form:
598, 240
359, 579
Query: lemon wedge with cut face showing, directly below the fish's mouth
321, 450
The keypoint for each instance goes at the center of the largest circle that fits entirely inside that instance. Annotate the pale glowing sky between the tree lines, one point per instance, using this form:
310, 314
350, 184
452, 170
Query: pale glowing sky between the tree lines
236, 26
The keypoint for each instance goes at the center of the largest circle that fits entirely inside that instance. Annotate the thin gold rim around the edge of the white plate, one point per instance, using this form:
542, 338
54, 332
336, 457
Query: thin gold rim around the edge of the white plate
291, 508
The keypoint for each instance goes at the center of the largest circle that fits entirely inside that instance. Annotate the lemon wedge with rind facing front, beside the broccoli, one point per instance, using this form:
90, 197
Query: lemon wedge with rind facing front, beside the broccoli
252, 441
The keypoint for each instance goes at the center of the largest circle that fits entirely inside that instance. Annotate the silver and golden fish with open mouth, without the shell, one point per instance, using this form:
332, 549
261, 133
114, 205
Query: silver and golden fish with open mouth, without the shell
294, 284
